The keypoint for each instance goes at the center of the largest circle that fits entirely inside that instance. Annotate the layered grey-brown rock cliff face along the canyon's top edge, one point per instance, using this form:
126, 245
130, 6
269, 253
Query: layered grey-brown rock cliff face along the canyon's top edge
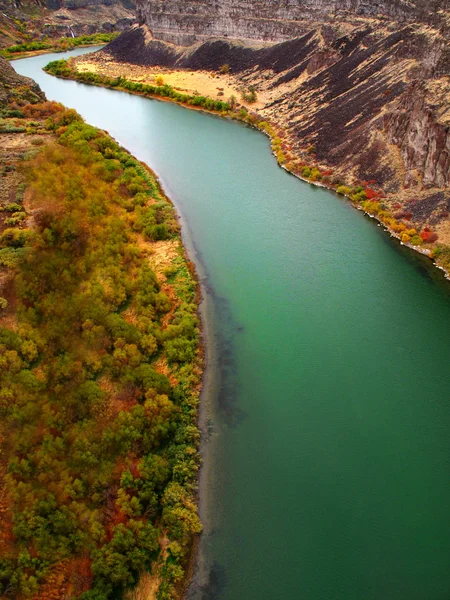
185, 22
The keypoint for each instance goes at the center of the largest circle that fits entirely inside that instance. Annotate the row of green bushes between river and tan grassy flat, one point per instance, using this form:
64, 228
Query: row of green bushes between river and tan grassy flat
63, 68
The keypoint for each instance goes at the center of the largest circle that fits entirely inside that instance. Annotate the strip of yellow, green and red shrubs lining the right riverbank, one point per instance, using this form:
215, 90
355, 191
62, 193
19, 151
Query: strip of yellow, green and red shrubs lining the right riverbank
363, 195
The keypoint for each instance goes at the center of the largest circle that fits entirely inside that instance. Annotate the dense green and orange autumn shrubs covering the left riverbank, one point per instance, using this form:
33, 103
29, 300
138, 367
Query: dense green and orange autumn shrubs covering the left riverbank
99, 375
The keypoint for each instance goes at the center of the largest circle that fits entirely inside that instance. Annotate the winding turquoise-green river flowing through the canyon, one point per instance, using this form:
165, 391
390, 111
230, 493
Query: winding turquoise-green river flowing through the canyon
327, 465
